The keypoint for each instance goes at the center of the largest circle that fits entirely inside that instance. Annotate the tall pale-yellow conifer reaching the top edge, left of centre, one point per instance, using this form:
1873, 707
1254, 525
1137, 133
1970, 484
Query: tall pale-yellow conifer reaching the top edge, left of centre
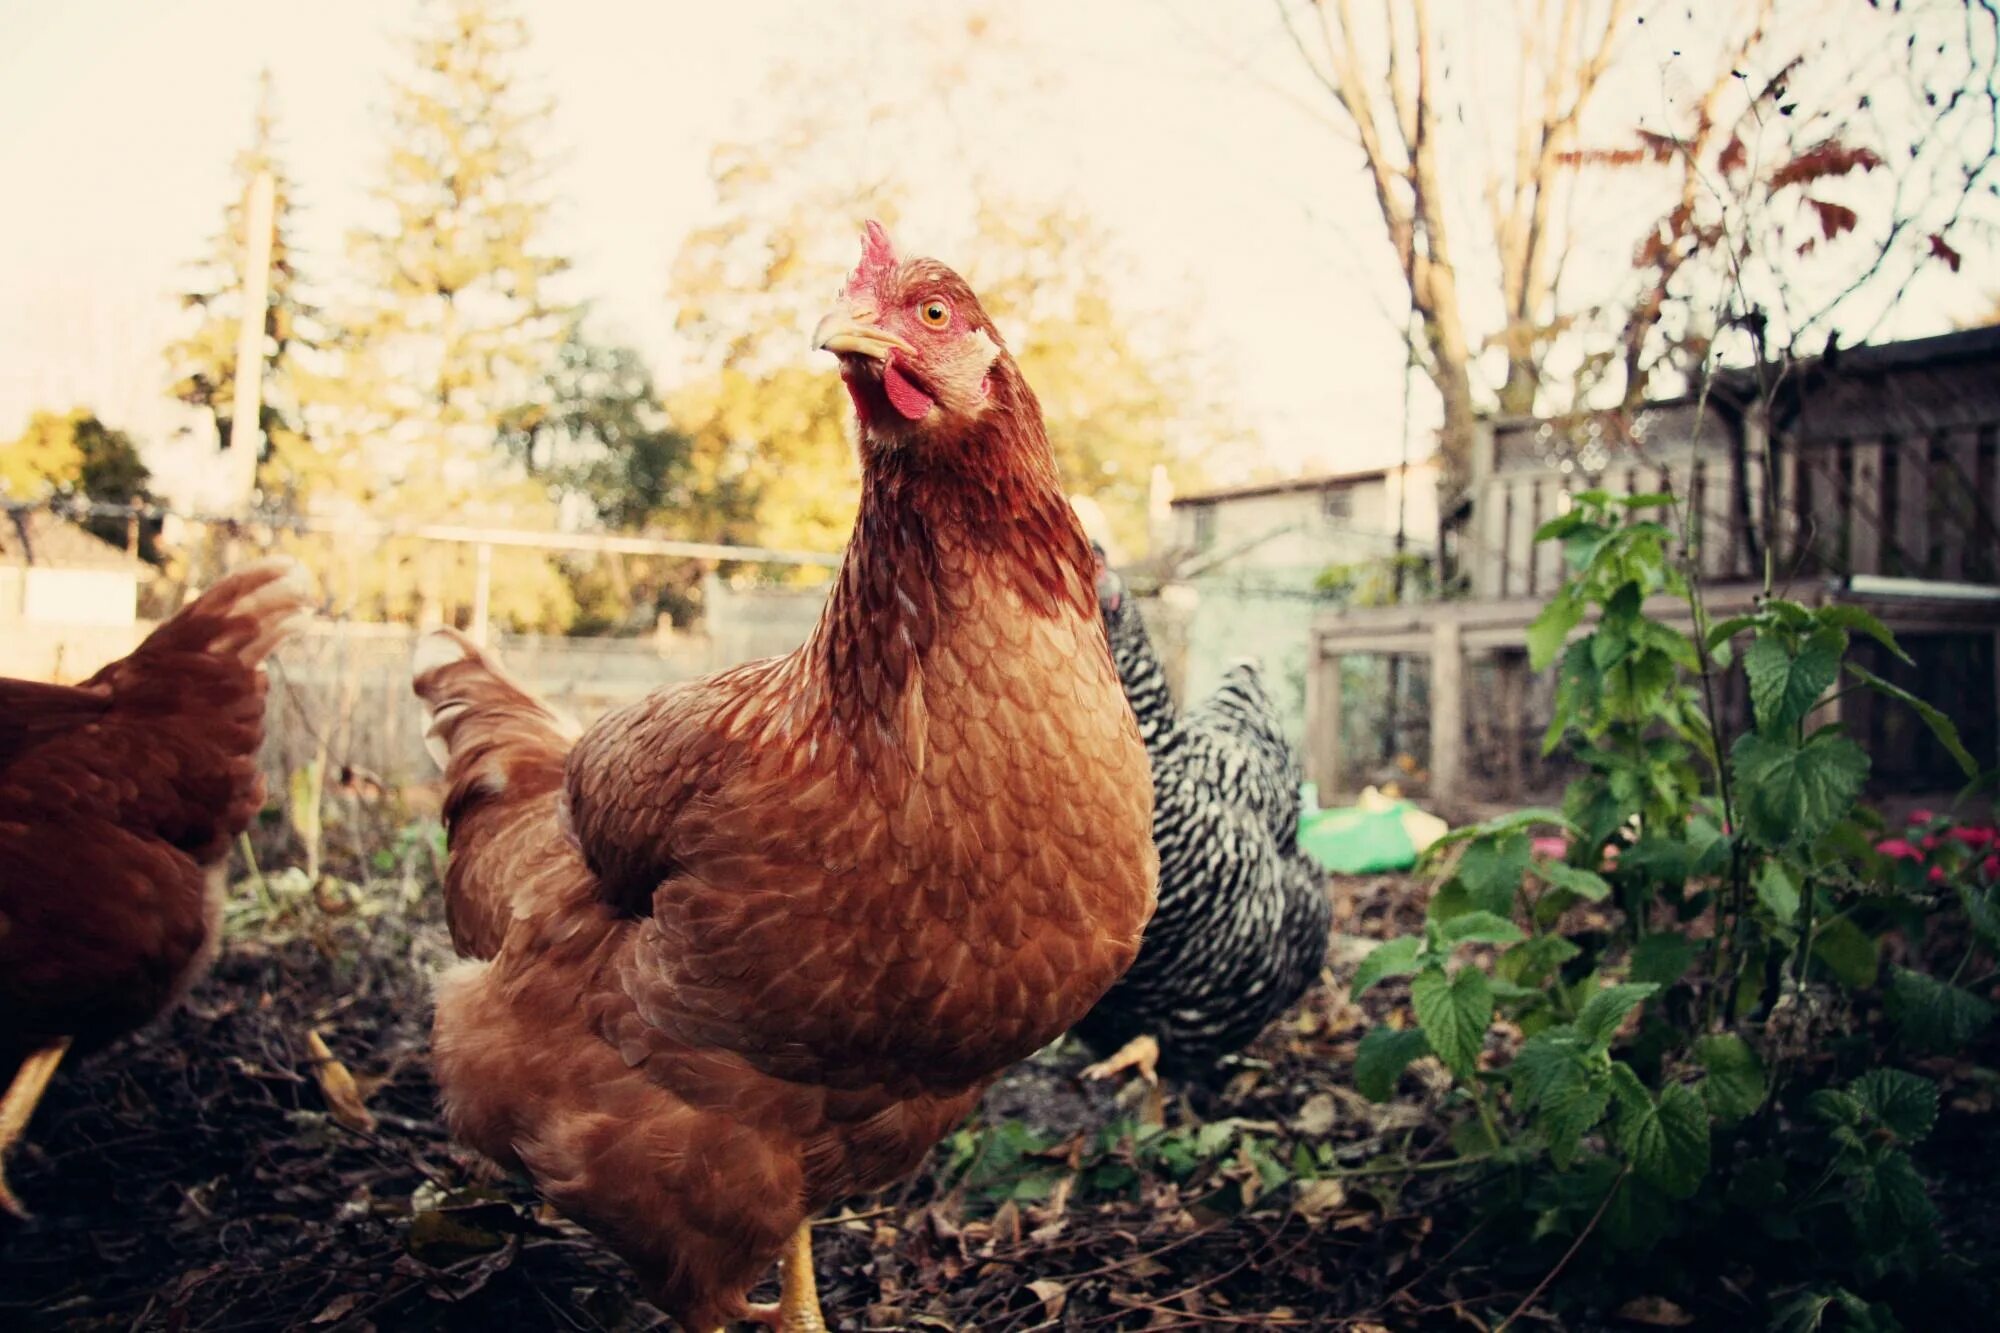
457, 323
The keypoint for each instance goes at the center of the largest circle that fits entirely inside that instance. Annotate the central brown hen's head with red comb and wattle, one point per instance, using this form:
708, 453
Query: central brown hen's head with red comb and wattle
915, 347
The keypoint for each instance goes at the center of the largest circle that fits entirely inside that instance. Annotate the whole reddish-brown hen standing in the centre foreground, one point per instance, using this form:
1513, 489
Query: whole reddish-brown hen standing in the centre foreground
759, 942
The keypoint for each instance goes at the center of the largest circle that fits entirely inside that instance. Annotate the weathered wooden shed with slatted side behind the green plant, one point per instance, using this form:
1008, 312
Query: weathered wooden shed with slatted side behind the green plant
1877, 471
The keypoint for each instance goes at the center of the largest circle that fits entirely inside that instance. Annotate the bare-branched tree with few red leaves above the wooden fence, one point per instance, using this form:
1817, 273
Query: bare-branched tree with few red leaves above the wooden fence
1737, 211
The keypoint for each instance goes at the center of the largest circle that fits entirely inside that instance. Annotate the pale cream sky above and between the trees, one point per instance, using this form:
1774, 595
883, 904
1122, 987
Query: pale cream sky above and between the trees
119, 121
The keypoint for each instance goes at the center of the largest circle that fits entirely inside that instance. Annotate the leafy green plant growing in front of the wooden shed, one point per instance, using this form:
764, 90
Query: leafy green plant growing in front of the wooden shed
1701, 946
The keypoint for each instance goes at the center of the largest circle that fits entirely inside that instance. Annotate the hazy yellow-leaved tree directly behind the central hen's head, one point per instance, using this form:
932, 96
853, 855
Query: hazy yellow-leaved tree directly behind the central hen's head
769, 423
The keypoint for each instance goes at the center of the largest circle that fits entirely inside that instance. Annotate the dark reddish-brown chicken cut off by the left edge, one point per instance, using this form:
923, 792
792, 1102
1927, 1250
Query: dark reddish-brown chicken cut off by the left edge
119, 800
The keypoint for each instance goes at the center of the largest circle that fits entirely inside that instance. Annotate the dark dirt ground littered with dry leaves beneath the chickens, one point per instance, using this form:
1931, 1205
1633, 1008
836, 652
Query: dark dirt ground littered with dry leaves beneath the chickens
197, 1180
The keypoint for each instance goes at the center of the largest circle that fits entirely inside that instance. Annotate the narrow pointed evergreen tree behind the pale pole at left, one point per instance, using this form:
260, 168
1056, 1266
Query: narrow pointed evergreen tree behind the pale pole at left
205, 361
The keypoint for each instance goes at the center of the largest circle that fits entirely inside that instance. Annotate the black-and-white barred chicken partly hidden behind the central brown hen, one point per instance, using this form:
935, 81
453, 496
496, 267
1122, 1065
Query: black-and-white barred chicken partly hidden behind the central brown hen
1243, 920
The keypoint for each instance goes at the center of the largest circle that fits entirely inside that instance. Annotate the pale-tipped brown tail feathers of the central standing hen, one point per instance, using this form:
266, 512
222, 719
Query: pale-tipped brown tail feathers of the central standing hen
503, 754
